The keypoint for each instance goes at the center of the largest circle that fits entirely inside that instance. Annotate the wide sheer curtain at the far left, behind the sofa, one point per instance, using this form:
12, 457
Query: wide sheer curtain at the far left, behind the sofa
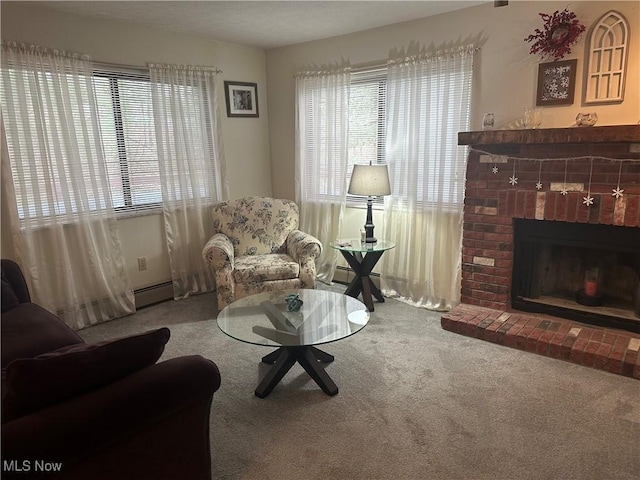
55, 179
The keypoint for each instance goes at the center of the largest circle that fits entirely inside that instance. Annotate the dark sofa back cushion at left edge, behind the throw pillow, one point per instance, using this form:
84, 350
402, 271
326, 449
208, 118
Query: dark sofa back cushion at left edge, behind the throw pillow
28, 330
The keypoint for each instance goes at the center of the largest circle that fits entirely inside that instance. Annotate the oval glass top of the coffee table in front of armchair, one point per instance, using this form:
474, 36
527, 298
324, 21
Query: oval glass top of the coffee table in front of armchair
323, 318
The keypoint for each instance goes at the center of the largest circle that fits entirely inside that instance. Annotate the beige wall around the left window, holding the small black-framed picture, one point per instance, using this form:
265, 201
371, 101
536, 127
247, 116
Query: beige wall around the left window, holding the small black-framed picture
246, 140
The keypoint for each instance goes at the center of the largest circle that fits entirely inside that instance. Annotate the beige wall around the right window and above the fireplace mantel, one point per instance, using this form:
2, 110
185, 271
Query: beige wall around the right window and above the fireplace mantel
505, 80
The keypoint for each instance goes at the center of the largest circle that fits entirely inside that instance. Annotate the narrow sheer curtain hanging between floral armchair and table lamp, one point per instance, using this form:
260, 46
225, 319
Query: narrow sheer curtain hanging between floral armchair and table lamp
322, 130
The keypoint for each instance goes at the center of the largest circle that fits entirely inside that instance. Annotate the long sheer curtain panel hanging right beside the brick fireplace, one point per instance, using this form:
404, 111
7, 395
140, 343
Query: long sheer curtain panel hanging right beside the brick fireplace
429, 100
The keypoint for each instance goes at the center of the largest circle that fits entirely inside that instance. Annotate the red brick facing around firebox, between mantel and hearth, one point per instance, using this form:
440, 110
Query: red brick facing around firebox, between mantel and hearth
492, 202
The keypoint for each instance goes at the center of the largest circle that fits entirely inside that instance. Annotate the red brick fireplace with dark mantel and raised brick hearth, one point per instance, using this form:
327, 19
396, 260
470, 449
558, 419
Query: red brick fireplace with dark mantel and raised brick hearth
544, 175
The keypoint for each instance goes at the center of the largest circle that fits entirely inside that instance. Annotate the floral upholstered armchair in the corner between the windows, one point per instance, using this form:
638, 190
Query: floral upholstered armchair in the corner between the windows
257, 247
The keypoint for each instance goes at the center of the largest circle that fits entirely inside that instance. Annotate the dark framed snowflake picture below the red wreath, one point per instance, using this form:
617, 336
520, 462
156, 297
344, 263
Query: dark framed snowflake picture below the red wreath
556, 83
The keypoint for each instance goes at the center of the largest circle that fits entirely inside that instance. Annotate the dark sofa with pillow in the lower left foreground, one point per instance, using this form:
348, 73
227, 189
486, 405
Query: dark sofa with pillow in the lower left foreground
72, 410
